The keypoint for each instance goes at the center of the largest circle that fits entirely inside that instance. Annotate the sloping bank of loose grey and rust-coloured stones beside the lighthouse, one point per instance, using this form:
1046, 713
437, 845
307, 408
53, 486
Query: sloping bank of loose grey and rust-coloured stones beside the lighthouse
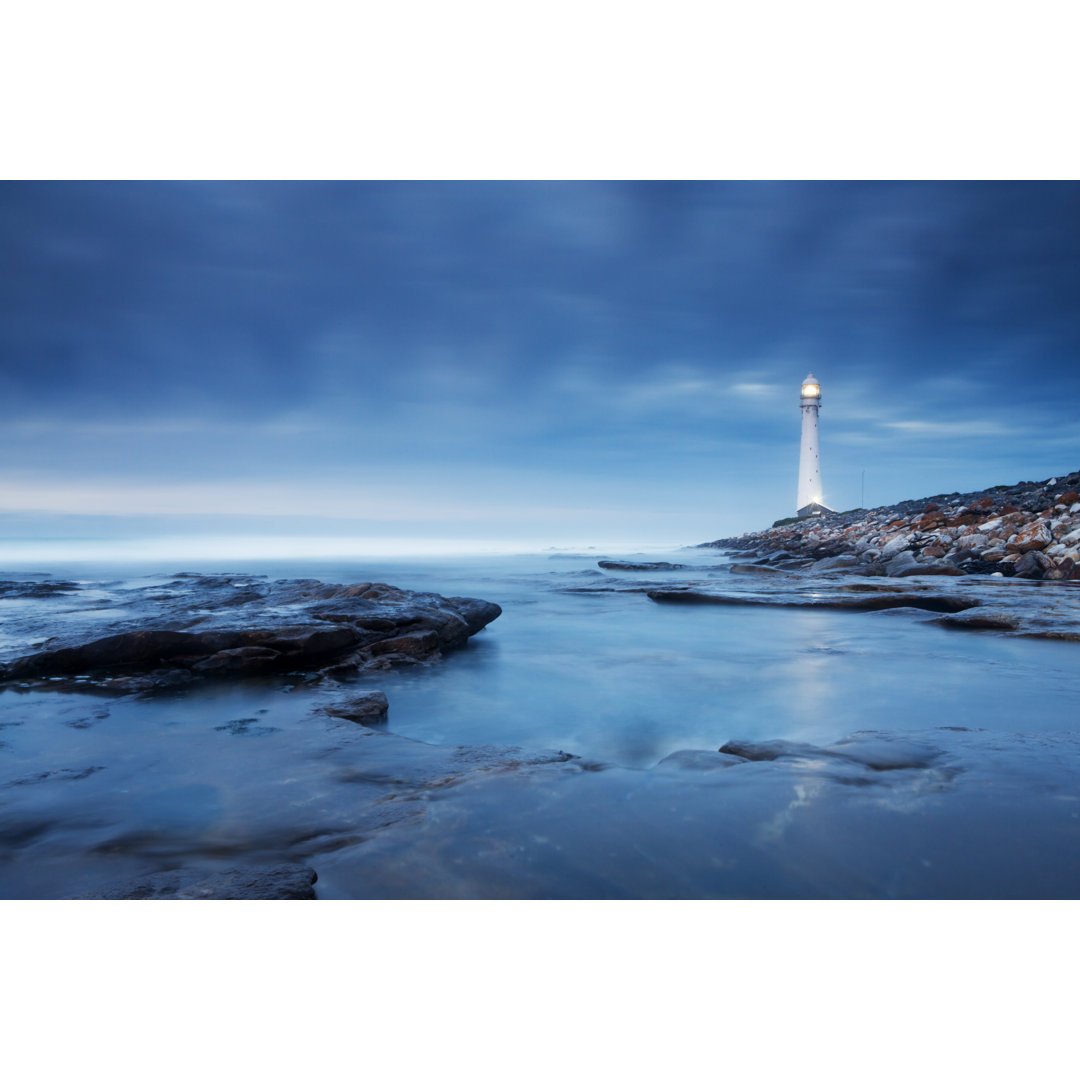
1027, 531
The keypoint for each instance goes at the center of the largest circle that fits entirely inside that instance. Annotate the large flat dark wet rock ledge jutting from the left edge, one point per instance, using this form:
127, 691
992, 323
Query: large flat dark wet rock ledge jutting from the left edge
202, 627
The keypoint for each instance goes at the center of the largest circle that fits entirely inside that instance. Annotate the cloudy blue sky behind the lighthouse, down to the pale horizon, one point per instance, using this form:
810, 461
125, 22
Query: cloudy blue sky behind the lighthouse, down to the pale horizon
472, 366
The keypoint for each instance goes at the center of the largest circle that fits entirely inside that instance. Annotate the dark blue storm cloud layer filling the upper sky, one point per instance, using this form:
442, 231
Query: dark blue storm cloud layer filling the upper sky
226, 296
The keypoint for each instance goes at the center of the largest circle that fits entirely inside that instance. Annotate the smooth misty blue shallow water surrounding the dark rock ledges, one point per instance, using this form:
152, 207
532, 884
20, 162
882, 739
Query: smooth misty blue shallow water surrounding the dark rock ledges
96, 788
